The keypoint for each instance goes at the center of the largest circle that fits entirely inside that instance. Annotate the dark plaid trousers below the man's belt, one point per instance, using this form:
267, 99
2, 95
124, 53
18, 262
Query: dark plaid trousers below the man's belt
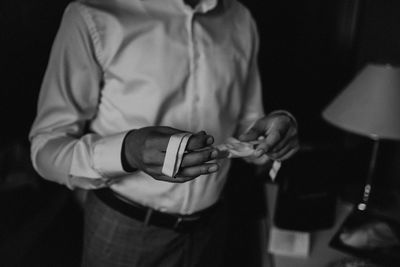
115, 240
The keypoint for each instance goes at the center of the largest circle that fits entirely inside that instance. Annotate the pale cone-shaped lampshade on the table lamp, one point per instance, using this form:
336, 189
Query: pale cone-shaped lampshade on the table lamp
370, 104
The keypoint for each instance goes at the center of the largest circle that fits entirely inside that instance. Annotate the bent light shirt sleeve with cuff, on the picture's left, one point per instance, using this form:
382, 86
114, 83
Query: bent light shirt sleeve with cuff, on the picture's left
61, 148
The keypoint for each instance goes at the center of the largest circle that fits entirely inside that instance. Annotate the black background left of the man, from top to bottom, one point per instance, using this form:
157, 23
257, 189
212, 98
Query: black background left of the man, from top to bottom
39, 220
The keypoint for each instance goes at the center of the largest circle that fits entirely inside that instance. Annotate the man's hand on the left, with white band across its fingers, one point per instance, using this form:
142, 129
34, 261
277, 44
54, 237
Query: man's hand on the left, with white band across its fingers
144, 149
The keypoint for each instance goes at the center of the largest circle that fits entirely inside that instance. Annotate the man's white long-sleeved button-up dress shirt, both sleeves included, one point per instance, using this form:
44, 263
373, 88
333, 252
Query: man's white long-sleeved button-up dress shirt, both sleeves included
118, 65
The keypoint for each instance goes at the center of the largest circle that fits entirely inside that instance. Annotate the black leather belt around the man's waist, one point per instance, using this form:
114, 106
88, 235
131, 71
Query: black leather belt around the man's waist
151, 216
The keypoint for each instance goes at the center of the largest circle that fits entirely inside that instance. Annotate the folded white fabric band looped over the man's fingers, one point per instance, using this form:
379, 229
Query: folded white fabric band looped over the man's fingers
174, 154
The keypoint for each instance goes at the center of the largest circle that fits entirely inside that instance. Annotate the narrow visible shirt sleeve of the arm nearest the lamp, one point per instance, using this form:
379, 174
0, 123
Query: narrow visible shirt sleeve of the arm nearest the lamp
252, 108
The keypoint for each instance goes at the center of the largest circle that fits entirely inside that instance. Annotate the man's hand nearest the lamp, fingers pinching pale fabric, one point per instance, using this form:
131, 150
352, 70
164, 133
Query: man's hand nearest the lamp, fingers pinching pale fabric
278, 137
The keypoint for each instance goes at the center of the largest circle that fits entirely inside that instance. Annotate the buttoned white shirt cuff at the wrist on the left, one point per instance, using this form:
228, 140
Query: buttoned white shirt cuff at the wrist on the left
107, 155
